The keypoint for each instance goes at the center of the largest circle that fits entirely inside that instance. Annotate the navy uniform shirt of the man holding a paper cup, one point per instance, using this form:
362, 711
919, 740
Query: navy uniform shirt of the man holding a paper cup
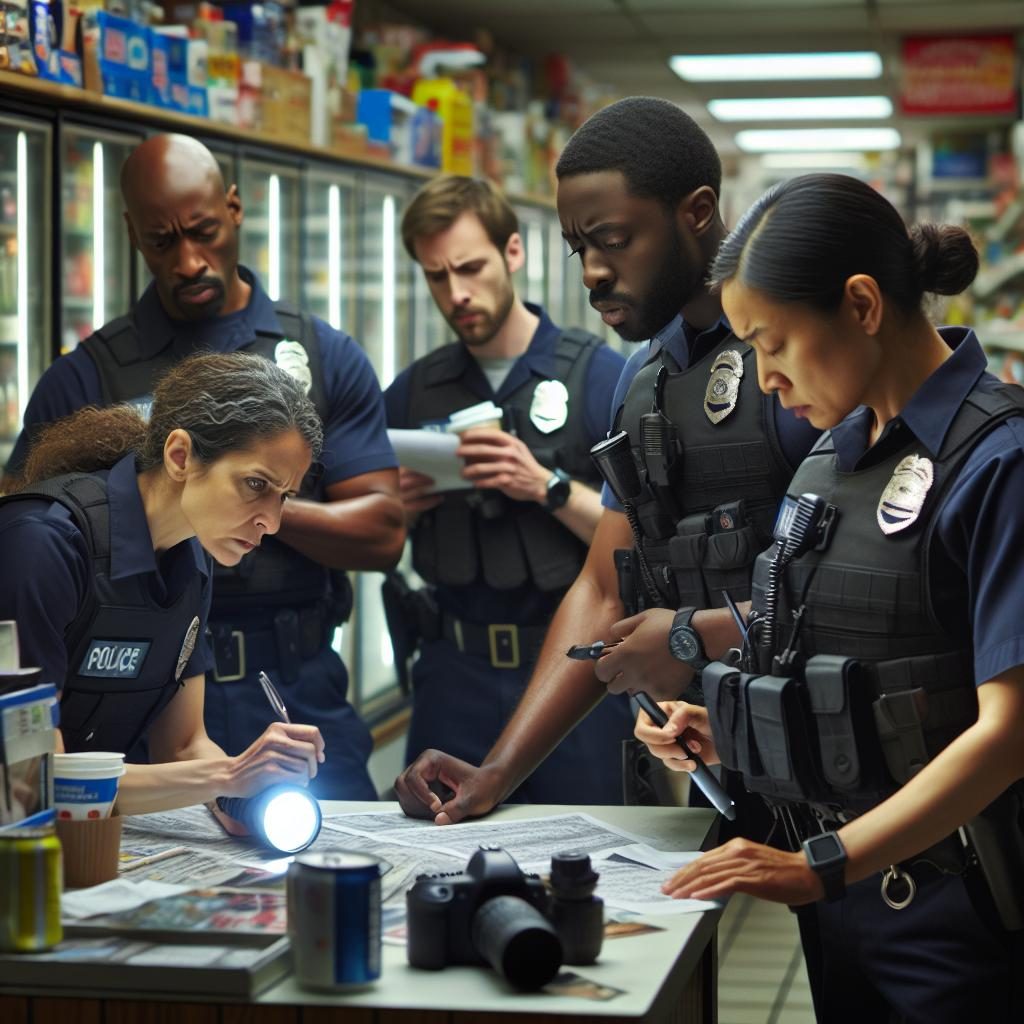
525, 606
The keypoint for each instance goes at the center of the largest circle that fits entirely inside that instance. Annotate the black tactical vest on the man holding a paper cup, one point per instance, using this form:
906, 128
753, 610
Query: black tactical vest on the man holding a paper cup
482, 536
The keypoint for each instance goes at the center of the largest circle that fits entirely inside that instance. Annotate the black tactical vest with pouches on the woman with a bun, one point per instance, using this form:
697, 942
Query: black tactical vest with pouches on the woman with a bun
882, 684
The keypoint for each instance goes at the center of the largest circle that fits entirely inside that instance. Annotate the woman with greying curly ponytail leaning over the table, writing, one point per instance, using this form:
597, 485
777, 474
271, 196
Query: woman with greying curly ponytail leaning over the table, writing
106, 547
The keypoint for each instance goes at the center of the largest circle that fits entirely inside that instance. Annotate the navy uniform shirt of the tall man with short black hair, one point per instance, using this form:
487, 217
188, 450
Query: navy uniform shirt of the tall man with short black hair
687, 346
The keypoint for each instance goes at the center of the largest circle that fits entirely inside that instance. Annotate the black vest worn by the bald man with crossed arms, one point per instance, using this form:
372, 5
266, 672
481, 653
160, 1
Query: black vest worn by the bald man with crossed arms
130, 366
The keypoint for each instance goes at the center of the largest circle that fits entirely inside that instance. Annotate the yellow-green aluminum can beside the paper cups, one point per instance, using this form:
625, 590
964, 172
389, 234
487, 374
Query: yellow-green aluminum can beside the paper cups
31, 881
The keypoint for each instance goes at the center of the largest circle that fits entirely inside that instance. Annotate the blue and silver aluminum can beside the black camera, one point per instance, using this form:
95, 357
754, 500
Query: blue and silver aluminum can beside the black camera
334, 920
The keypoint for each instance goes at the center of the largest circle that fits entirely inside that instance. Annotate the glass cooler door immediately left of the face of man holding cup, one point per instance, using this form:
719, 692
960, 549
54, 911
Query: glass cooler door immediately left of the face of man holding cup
385, 279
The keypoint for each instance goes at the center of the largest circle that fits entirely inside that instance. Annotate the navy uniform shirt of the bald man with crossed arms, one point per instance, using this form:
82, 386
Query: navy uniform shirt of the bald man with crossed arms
355, 437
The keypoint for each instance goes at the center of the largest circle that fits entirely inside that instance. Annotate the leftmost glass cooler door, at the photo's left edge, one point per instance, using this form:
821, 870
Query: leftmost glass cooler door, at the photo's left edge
25, 247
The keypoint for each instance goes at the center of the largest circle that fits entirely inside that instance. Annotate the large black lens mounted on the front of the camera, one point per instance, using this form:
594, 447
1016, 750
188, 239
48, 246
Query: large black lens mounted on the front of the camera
518, 942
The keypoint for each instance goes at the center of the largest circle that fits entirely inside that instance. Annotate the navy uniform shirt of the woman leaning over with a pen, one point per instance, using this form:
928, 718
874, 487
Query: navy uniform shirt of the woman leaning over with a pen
49, 571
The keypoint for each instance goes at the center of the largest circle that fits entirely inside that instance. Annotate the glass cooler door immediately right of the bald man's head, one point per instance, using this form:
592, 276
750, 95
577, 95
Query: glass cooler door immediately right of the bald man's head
271, 227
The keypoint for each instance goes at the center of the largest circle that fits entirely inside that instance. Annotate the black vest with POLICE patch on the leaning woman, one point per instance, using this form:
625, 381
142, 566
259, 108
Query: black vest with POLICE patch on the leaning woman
125, 652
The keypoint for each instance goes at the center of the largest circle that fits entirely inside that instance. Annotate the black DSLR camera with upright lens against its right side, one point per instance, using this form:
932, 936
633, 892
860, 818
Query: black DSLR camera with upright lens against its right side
496, 914
